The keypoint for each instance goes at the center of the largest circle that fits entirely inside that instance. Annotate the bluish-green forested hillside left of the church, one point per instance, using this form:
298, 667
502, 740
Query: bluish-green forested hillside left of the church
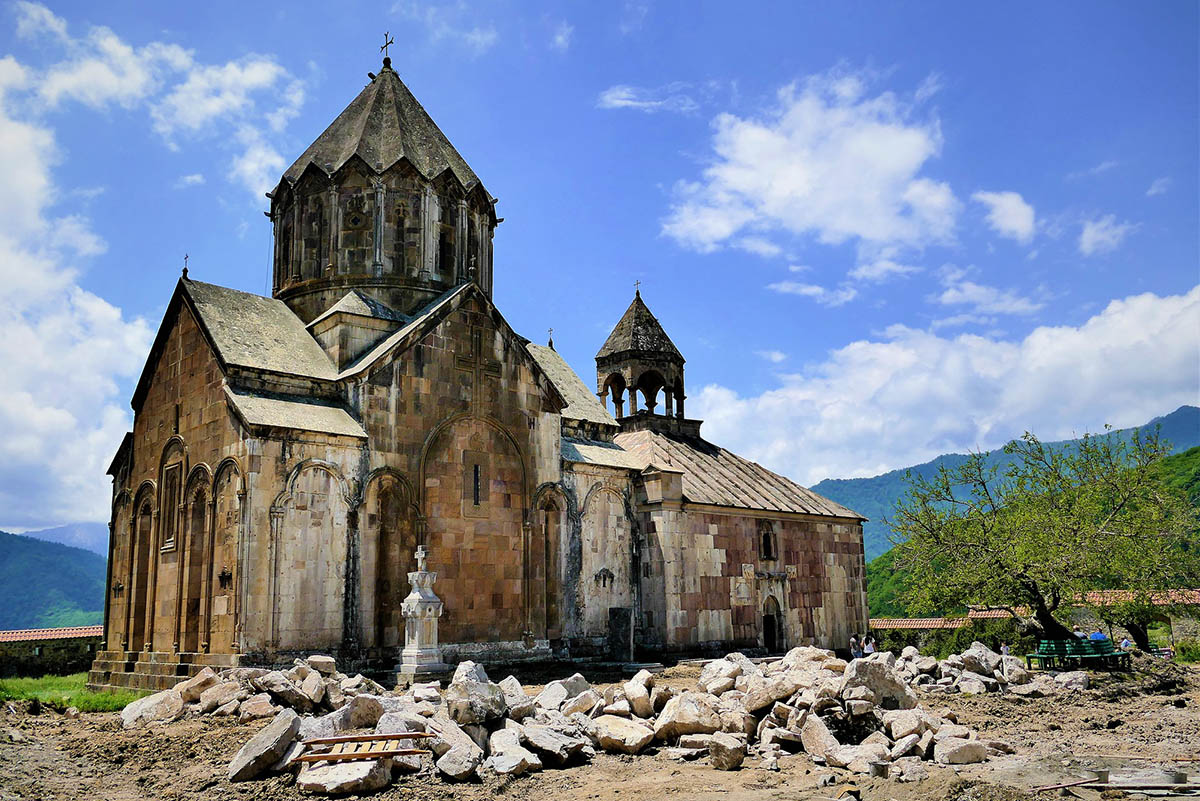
45, 585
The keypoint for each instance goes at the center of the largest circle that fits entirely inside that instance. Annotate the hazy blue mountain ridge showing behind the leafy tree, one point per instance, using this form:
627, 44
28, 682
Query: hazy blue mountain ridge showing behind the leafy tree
877, 497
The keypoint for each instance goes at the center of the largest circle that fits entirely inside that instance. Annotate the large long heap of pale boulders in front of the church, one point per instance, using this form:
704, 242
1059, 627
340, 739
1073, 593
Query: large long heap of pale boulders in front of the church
862, 716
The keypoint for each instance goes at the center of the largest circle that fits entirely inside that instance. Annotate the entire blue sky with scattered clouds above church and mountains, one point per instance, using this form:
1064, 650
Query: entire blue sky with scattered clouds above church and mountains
878, 232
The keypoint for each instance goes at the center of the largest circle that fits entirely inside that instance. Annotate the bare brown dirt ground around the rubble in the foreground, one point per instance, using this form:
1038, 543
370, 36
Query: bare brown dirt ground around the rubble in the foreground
1132, 726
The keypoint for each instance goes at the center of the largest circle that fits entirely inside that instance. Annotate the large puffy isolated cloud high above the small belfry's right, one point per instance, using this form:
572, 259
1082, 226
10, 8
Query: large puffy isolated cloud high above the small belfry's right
827, 161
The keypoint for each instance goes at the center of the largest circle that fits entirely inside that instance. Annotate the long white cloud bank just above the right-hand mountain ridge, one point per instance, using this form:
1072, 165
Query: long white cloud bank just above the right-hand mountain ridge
877, 406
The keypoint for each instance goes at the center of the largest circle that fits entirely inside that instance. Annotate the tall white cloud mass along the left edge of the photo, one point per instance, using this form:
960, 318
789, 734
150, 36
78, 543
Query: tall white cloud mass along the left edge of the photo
63, 347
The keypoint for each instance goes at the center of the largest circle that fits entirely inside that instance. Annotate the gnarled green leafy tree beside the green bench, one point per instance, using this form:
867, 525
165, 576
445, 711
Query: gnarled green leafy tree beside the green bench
1057, 523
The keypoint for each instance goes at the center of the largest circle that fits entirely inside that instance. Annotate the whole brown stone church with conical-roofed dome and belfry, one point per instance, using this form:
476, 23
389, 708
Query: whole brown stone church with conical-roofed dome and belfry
290, 454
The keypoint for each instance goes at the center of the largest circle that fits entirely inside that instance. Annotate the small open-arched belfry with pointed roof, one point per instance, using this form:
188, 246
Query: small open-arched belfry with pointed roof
639, 359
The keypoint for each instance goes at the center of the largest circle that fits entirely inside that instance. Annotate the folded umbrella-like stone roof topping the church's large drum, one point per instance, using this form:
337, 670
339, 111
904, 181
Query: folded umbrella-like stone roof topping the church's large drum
383, 125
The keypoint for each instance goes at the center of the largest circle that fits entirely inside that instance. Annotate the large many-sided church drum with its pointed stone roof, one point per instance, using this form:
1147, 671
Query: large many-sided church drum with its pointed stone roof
381, 203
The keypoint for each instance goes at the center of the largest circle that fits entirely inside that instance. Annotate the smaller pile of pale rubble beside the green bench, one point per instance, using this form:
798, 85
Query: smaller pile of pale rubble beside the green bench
980, 671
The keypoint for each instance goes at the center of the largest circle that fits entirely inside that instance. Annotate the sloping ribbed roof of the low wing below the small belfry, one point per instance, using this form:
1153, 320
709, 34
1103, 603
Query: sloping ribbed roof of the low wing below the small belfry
713, 475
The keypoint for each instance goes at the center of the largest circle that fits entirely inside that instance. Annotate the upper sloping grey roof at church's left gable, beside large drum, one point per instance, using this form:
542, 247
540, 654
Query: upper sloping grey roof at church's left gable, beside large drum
259, 333
